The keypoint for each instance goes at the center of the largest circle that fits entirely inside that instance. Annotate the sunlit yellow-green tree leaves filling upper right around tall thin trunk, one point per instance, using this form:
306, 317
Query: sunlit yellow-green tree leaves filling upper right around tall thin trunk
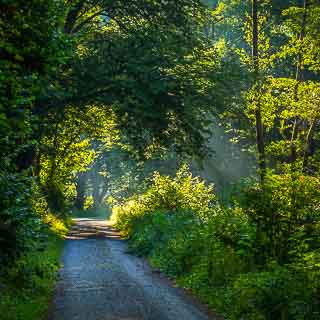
286, 86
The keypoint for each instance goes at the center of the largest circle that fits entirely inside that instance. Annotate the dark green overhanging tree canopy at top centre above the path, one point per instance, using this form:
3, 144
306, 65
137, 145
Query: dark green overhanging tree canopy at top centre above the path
136, 67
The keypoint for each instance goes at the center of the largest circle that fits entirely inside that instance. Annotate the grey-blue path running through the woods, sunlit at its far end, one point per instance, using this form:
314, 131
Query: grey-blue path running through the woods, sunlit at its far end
100, 281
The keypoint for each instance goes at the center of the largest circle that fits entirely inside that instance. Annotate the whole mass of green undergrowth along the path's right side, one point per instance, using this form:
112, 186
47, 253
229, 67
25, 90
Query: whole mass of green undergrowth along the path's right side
257, 259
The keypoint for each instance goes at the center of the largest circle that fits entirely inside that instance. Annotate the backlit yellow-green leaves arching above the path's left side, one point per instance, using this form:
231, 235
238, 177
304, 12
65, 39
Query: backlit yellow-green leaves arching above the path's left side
69, 148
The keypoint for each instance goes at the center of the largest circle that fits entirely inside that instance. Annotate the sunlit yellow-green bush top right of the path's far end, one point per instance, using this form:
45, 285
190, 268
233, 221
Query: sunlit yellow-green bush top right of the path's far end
183, 192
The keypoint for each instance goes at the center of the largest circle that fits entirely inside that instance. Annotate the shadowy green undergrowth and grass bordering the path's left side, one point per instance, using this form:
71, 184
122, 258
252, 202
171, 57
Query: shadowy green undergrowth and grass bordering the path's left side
31, 243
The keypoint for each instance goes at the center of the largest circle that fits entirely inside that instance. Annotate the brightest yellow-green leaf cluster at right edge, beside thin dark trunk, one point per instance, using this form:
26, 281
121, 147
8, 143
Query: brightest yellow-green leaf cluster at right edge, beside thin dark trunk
282, 100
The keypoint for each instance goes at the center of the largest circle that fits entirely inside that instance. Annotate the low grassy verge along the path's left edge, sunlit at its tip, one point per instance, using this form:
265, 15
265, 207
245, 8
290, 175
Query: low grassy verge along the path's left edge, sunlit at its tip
26, 288
